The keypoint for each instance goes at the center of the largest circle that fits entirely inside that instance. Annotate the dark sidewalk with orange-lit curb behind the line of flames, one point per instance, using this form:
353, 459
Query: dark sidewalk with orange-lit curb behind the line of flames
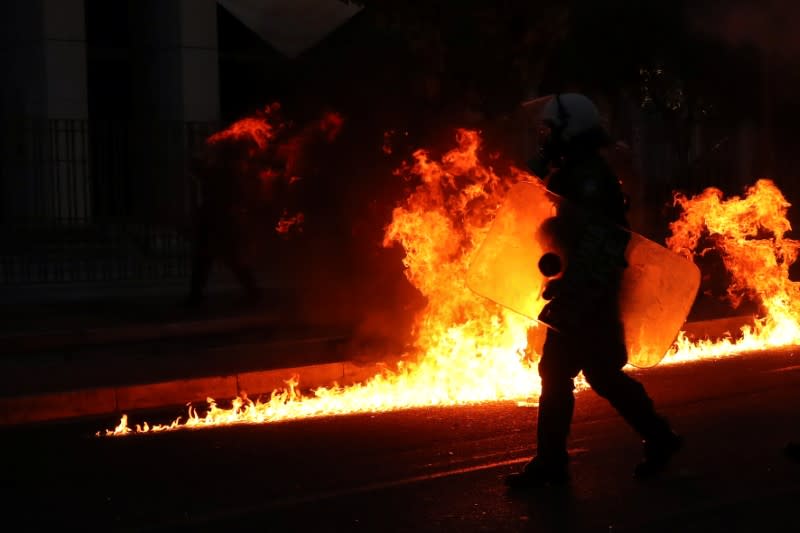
142, 350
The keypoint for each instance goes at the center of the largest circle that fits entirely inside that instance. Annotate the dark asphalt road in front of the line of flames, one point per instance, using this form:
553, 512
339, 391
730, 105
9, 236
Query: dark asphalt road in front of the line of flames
431, 469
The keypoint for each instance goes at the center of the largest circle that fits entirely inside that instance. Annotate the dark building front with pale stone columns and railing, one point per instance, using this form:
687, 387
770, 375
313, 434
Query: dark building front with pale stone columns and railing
89, 81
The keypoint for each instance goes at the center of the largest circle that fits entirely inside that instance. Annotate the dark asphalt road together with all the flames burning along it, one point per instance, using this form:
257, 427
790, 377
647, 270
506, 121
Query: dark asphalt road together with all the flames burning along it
424, 445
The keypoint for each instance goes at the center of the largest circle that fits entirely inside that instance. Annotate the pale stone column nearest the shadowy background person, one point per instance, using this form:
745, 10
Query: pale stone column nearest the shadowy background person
176, 93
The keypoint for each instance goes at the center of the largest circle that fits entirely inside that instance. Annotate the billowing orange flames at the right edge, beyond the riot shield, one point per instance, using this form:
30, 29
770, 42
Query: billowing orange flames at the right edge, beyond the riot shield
750, 235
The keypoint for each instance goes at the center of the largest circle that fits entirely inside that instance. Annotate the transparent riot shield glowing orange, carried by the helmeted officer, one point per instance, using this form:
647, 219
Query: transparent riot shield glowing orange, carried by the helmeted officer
658, 287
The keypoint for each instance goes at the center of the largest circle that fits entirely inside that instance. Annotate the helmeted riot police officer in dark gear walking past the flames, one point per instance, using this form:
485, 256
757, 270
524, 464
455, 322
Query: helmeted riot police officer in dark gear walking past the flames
590, 336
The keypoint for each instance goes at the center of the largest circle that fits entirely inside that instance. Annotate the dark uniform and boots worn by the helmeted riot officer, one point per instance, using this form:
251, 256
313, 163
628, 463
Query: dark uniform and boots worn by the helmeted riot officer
584, 306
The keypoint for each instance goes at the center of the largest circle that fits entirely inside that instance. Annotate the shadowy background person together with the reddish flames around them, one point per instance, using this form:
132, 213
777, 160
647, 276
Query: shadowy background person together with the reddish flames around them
250, 178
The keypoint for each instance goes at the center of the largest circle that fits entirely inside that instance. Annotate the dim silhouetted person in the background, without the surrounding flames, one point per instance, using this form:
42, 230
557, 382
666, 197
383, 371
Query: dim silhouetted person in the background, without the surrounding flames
226, 215
